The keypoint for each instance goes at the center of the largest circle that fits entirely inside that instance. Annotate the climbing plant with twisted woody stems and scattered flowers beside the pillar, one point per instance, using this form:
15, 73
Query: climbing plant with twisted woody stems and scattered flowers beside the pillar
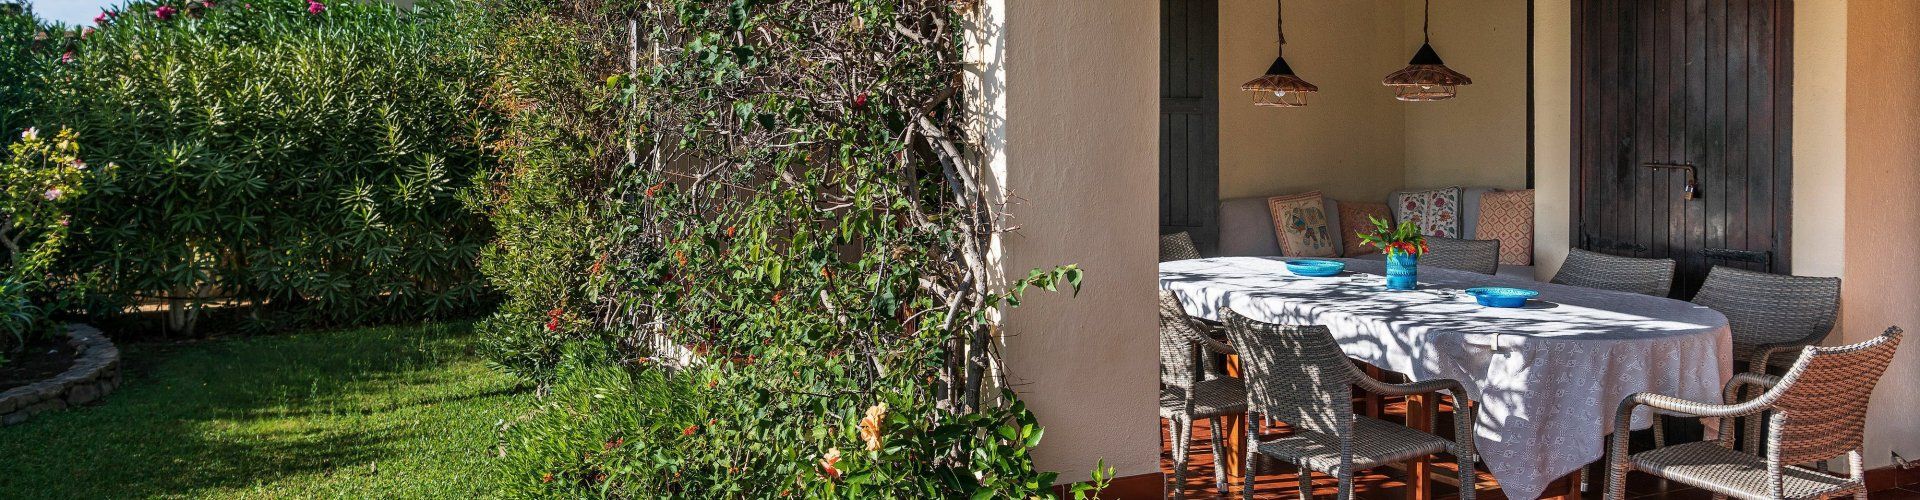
744, 253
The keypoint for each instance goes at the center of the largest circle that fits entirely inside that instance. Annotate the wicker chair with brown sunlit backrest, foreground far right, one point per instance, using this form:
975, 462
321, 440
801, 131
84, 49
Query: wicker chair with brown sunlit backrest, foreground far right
1817, 412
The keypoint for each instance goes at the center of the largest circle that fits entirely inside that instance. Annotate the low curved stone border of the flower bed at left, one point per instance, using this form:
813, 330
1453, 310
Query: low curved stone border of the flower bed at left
93, 376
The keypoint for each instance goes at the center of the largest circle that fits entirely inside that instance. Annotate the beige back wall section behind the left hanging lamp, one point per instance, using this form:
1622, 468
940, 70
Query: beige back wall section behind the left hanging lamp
1349, 141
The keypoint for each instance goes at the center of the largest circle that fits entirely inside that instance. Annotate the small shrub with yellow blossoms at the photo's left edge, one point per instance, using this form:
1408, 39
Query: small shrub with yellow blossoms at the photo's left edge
41, 178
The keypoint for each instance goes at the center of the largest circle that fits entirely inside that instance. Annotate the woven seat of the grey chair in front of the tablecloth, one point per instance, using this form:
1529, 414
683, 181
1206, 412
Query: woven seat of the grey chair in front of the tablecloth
1376, 443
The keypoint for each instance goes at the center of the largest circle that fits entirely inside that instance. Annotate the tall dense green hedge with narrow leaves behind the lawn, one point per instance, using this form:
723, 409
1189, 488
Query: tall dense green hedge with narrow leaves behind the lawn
297, 155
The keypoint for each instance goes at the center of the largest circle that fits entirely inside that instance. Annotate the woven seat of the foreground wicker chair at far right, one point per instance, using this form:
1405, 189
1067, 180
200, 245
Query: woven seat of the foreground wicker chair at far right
1744, 476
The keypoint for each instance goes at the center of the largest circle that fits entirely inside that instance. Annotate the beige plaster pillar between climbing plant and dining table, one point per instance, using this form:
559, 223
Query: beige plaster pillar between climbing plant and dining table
1082, 180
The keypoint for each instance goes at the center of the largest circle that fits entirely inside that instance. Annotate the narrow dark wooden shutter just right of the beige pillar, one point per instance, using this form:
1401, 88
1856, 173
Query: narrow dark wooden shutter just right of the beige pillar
1189, 120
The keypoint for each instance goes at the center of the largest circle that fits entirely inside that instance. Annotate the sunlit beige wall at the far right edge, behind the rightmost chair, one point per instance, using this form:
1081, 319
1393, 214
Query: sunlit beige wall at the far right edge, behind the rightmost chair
1883, 284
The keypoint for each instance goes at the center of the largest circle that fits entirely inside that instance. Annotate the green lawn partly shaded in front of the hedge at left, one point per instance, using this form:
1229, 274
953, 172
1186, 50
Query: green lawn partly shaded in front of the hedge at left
389, 412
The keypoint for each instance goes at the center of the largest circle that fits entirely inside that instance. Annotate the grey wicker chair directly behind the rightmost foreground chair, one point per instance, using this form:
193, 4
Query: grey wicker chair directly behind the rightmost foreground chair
1769, 314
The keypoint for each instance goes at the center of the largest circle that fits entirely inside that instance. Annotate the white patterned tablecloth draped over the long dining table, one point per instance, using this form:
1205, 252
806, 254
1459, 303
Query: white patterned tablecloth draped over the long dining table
1548, 393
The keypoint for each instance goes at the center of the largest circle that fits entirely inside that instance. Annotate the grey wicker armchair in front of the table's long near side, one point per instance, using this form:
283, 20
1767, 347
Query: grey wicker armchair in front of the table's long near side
1299, 376
